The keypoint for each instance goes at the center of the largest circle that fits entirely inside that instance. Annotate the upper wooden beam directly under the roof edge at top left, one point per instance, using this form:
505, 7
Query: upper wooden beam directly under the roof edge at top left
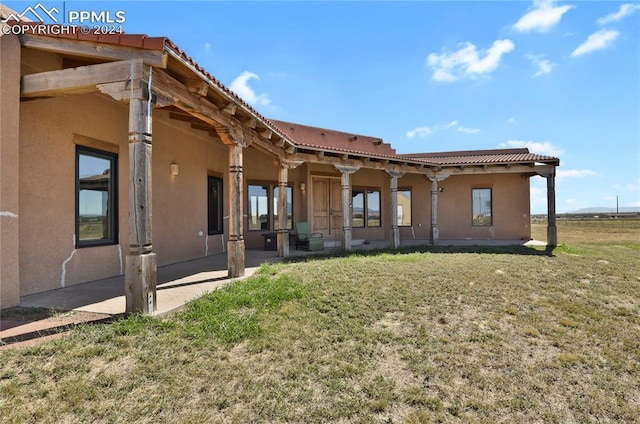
157, 58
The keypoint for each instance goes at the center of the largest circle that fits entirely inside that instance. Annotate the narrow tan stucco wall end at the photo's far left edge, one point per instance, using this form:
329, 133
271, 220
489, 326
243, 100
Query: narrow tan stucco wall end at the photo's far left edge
9, 159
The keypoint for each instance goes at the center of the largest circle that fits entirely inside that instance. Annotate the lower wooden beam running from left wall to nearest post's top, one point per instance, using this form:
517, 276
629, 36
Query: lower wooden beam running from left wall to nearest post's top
81, 80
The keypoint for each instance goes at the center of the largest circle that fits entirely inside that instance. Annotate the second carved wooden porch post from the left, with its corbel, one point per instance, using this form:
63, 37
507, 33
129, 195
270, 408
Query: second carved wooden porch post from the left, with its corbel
235, 245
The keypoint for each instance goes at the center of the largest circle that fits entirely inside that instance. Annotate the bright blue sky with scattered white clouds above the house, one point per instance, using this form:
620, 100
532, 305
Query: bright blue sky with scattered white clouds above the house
561, 78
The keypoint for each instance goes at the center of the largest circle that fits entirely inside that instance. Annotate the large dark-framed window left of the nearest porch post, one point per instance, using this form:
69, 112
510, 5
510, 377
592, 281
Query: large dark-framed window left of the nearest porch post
96, 197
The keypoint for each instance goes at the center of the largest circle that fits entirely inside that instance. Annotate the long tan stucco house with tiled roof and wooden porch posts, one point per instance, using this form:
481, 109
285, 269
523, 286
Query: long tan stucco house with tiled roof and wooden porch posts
119, 153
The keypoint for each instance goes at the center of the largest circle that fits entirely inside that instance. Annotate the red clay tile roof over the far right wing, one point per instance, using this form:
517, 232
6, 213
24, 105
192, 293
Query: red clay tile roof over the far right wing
482, 157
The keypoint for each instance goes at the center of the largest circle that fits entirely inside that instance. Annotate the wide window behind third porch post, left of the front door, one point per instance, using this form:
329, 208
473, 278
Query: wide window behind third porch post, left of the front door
263, 207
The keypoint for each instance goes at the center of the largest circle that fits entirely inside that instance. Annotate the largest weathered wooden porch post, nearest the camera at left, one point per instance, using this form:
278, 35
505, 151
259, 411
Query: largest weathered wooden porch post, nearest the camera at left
141, 263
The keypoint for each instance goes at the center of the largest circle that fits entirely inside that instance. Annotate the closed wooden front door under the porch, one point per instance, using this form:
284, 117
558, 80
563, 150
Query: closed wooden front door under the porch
327, 205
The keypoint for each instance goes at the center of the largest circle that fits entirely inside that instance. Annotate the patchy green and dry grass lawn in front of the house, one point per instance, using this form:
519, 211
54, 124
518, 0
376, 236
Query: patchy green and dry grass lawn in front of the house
433, 335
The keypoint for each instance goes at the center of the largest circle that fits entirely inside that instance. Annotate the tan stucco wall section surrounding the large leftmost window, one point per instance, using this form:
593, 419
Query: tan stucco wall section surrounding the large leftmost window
48, 258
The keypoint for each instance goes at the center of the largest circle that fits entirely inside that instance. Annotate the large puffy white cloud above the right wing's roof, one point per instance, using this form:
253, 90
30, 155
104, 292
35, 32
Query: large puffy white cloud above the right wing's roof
467, 61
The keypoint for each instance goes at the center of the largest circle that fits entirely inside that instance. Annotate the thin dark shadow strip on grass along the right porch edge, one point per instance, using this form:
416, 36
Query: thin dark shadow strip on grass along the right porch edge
506, 250
